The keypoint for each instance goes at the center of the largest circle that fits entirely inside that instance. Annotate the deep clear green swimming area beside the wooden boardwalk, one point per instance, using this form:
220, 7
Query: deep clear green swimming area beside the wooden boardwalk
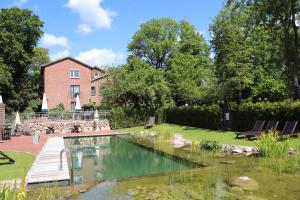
110, 157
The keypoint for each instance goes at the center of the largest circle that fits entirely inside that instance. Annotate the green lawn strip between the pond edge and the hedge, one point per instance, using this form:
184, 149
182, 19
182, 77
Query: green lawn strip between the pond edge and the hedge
198, 134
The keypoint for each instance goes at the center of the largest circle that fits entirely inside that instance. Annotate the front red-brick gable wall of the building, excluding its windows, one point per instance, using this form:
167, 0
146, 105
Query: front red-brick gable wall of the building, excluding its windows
57, 83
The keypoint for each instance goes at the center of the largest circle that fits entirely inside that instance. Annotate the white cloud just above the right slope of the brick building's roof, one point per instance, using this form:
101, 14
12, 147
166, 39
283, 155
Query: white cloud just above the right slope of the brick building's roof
100, 57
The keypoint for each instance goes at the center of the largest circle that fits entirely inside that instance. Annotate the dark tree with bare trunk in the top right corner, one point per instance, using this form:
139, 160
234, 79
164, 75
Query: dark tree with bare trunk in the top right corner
283, 16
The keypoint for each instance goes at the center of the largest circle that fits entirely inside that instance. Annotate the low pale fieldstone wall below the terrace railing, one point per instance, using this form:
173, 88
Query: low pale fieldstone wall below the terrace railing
67, 125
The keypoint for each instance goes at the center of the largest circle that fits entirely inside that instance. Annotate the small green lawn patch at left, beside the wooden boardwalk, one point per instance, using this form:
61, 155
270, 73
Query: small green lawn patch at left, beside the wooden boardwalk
17, 170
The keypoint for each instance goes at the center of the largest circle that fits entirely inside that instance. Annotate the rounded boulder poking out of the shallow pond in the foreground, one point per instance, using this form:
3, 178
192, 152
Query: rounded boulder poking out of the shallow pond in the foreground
245, 182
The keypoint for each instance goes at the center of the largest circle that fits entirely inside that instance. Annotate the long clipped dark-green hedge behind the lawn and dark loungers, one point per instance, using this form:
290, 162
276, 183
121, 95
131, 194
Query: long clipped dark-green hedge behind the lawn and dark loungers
242, 116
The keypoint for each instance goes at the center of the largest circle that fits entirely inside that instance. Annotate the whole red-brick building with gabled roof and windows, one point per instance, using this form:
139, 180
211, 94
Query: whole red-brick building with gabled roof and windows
66, 78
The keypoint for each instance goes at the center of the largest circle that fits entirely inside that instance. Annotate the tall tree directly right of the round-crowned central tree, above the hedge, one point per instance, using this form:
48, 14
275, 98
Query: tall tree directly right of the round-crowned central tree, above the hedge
190, 72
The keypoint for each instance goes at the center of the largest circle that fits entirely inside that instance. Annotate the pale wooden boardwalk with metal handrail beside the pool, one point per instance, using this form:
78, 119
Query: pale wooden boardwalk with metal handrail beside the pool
46, 166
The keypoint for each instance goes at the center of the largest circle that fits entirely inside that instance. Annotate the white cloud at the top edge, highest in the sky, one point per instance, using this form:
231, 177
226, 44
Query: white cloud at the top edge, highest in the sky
92, 14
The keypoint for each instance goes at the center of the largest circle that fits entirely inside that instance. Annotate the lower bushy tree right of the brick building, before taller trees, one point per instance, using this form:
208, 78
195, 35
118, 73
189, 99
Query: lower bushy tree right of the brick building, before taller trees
137, 85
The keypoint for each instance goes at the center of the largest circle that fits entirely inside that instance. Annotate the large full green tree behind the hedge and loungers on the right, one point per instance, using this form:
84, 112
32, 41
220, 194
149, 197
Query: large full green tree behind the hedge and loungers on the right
247, 56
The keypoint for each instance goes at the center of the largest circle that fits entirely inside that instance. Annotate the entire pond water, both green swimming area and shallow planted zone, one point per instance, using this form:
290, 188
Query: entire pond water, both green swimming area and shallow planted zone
128, 171
